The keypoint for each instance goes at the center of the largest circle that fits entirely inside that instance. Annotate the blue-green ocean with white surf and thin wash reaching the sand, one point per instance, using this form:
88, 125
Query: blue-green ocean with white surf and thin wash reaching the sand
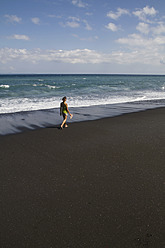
32, 101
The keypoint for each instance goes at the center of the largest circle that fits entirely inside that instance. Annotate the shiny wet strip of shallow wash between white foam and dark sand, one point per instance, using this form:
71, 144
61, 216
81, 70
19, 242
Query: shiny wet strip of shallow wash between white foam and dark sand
11, 123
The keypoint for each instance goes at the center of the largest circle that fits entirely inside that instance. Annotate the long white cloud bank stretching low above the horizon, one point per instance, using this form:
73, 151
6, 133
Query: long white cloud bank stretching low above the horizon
87, 56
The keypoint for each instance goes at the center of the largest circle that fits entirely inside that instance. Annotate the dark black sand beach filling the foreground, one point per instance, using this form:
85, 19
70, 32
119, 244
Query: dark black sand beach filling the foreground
97, 184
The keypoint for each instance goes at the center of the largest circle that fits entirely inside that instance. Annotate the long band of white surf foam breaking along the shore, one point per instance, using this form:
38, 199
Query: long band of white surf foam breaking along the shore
12, 105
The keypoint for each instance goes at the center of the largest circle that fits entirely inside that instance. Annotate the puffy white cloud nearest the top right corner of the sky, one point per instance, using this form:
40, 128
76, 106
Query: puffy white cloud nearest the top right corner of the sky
146, 11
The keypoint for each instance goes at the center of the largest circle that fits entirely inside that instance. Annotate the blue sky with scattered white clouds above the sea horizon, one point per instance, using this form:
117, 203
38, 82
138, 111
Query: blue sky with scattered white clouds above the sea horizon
82, 36
